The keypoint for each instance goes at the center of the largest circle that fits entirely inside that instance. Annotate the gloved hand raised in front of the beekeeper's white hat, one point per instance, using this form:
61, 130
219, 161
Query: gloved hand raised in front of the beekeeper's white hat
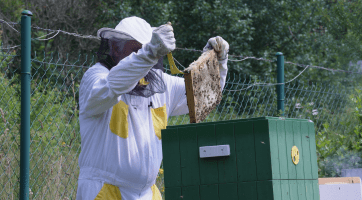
163, 41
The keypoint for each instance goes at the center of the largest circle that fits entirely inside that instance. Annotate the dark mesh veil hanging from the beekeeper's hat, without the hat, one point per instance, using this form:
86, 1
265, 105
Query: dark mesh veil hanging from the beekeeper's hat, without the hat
113, 48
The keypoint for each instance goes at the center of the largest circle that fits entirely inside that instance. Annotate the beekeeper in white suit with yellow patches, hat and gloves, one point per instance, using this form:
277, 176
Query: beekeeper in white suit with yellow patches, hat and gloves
125, 100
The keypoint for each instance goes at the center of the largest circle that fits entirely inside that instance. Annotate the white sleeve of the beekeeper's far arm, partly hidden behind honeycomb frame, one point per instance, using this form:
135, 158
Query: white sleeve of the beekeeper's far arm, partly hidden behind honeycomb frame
177, 90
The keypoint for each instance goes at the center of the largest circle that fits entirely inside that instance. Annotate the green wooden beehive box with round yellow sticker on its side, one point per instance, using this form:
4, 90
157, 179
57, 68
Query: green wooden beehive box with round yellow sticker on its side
260, 165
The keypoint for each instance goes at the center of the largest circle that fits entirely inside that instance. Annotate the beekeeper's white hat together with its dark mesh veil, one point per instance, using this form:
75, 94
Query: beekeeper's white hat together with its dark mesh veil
112, 50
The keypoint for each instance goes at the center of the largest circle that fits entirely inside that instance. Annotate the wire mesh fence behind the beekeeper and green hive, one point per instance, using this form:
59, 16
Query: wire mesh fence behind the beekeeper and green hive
55, 137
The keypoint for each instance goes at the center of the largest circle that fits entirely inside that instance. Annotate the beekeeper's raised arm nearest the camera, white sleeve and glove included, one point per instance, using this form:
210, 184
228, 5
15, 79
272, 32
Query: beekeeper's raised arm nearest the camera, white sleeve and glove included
100, 88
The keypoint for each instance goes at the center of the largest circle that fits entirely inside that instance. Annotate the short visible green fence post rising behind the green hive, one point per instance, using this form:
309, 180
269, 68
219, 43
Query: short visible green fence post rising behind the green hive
280, 79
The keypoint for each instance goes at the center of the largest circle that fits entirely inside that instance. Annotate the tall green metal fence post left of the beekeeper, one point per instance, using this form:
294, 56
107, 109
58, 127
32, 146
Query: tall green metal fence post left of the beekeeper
25, 104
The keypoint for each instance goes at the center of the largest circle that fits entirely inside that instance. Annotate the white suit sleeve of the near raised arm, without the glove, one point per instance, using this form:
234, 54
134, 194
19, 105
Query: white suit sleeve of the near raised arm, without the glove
100, 87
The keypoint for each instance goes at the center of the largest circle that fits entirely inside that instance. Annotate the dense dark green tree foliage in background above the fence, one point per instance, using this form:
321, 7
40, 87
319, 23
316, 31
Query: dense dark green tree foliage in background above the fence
309, 32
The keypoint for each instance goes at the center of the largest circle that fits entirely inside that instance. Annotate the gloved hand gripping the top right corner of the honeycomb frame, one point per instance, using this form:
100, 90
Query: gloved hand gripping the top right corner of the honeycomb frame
219, 45
